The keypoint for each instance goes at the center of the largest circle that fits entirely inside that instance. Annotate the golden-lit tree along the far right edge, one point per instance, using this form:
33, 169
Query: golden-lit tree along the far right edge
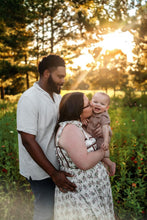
138, 27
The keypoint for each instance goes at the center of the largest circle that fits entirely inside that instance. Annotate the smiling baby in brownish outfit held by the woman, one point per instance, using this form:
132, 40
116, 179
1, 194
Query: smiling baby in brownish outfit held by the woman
100, 105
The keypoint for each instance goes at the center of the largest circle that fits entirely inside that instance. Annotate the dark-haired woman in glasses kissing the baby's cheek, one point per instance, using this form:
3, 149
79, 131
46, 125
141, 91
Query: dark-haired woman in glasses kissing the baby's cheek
77, 154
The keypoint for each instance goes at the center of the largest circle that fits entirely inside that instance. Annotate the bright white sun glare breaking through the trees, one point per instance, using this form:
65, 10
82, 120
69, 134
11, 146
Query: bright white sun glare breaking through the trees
115, 40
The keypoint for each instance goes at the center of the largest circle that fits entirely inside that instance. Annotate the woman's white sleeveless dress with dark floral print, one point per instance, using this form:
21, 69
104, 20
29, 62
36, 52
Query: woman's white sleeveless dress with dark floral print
93, 197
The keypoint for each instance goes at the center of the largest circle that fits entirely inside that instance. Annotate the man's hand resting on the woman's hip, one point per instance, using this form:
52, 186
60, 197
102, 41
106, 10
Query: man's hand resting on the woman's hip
59, 178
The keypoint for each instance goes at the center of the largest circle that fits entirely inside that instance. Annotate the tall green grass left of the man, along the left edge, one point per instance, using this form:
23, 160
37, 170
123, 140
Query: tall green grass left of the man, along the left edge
16, 200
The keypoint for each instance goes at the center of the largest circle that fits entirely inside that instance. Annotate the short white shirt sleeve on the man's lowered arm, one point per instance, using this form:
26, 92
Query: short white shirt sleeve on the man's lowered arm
27, 116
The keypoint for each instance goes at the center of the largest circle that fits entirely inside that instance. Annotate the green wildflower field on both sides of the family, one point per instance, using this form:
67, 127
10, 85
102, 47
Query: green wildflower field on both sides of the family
128, 145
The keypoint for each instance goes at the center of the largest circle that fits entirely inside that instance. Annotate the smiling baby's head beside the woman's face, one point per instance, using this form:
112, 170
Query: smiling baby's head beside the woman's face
100, 102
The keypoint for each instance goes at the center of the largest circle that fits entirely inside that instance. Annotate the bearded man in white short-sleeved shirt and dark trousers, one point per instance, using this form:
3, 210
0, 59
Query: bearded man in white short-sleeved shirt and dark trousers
37, 114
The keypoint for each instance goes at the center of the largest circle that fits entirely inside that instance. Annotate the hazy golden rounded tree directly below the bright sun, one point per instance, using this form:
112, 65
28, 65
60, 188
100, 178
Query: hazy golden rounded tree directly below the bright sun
111, 72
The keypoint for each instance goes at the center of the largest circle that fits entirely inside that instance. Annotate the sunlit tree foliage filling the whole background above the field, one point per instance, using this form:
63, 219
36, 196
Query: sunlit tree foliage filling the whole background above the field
30, 29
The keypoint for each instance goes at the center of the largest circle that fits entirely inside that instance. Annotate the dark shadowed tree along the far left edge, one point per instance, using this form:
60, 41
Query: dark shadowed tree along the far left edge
14, 39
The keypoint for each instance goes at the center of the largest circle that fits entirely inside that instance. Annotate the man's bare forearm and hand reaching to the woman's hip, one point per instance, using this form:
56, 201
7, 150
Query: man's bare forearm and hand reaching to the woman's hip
39, 157
